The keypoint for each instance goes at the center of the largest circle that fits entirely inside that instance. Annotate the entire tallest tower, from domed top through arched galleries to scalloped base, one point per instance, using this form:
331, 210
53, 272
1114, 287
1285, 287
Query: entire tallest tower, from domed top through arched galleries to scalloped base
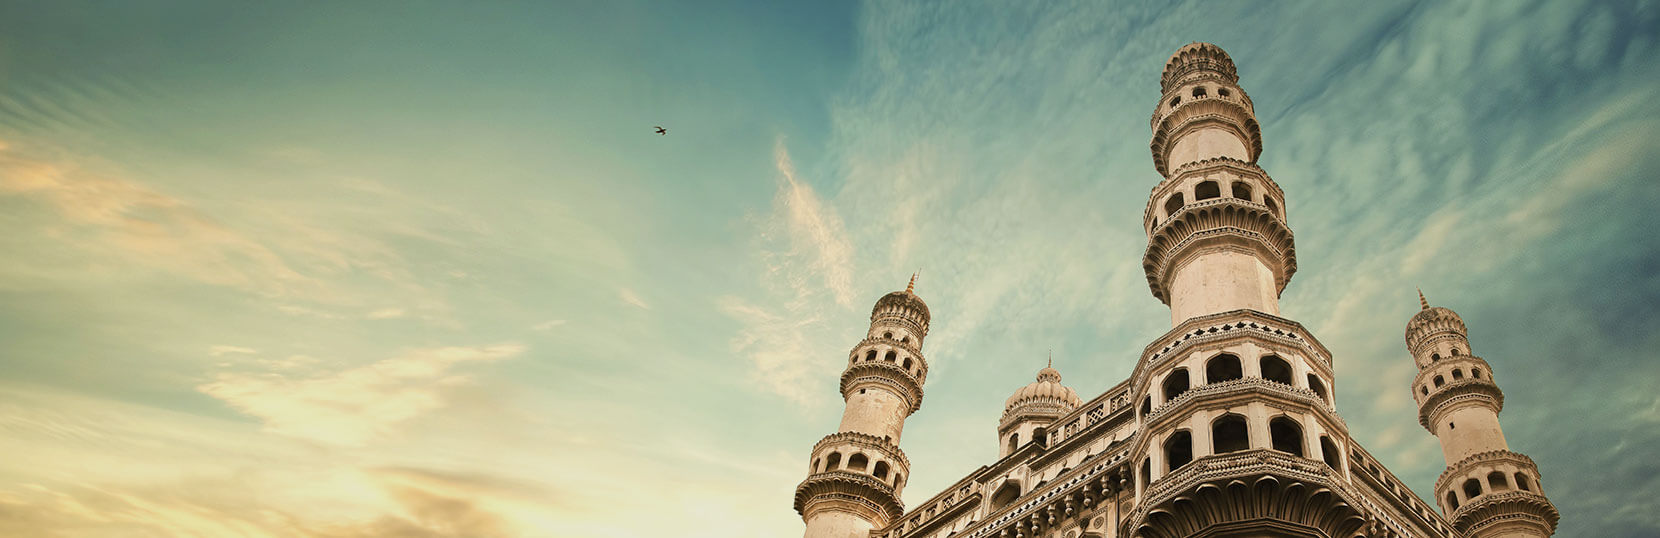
1234, 408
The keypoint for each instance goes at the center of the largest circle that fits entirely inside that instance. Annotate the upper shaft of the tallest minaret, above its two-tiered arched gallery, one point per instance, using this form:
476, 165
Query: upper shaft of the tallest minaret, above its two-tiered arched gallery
1218, 238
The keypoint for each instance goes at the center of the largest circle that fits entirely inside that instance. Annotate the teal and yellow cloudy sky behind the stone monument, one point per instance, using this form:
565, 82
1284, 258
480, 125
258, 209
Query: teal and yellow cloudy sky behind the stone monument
424, 270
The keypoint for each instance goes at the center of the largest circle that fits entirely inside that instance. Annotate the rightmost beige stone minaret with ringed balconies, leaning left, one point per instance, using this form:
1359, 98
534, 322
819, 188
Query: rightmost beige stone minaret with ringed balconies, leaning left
1487, 491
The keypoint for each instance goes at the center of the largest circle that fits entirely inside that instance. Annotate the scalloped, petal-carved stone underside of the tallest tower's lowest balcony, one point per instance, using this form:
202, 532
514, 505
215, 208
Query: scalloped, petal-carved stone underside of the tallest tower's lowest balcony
1249, 491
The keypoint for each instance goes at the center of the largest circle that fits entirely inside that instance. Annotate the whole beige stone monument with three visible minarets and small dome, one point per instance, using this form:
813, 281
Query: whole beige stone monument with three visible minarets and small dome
1228, 426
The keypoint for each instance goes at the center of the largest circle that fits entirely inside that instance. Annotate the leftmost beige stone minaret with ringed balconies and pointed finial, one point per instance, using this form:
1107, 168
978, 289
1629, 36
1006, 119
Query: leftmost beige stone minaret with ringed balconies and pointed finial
857, 474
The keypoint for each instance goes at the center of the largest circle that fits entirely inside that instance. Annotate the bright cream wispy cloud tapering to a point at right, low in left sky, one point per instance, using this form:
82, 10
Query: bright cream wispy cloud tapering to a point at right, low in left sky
353, 406
